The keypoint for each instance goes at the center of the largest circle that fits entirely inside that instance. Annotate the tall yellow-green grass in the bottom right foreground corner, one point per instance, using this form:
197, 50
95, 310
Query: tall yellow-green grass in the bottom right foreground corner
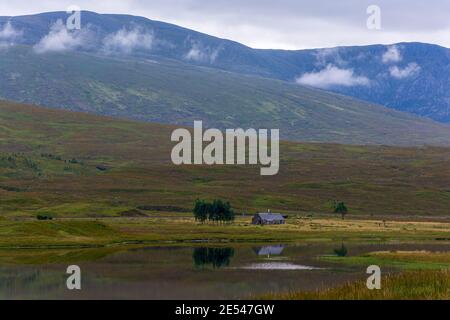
431, 285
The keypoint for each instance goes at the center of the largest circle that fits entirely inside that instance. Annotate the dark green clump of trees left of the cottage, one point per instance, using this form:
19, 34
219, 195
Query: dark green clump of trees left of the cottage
216, 211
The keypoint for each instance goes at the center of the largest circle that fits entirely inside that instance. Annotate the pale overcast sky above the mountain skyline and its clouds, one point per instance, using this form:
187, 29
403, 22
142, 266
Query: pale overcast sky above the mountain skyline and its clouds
281, 24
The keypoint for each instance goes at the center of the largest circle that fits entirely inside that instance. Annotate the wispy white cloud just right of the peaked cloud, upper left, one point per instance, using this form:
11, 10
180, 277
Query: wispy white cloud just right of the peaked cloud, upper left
125, 41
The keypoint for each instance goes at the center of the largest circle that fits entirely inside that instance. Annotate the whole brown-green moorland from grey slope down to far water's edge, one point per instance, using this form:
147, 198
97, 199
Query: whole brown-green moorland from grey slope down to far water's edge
38, 175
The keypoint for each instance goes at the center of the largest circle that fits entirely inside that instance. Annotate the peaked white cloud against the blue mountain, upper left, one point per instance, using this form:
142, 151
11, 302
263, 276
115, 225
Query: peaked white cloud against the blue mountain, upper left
60, 39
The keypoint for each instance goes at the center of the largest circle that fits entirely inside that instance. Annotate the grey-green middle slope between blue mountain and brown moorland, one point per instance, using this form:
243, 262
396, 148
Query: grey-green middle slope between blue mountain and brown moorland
168, 91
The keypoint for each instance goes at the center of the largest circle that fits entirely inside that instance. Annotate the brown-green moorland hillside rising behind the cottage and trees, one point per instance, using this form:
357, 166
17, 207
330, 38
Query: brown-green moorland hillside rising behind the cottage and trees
79, 165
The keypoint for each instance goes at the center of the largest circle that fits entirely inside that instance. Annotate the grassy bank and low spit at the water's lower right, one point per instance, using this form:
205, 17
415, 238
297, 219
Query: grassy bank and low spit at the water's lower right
425, 275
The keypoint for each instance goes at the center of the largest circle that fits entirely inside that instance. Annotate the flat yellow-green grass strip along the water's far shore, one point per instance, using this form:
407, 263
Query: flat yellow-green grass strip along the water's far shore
59, 233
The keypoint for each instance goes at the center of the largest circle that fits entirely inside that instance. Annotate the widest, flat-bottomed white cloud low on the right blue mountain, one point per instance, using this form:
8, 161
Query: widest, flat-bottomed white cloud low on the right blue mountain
332, 76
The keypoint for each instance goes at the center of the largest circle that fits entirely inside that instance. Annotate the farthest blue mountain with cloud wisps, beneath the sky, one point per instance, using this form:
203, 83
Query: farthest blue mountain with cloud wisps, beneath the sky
411, 77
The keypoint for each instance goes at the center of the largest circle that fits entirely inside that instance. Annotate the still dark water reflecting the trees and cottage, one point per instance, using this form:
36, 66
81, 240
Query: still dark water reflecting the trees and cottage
181, 272
